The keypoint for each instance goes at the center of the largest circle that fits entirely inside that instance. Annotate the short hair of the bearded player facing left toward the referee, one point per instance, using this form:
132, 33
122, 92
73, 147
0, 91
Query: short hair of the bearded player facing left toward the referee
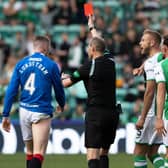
156, 35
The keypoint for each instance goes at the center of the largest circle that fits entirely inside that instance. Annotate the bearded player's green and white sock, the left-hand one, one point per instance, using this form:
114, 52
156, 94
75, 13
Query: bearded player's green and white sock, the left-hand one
140, 162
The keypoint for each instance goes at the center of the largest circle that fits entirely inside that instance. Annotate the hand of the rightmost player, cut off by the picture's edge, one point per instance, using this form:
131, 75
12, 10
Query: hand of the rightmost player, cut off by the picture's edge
159, 126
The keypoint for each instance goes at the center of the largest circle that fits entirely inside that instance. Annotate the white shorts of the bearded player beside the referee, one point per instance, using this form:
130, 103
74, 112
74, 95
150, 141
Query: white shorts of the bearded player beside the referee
148, 134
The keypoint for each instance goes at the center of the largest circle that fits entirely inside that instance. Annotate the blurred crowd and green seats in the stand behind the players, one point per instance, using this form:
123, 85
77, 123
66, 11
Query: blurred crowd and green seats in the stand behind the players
120, 22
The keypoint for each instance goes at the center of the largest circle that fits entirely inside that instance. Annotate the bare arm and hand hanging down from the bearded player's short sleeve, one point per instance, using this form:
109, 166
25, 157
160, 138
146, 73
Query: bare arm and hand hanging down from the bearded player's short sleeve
148, 98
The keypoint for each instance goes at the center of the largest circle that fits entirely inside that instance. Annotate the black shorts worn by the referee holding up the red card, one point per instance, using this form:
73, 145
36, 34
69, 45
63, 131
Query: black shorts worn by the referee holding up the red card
101, 133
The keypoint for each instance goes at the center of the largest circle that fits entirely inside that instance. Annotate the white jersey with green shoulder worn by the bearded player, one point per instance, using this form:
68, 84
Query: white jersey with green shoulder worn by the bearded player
149, 66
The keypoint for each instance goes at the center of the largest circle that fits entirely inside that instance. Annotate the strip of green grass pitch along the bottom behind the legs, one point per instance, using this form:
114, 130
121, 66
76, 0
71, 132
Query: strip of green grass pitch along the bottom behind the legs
65, 161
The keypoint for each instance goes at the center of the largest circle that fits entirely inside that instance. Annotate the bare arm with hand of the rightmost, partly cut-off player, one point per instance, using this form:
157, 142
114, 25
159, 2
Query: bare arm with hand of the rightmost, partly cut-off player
160, 107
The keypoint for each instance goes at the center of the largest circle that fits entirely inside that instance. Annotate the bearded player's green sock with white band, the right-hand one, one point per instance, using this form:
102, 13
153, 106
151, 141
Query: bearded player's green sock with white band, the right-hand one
157, 161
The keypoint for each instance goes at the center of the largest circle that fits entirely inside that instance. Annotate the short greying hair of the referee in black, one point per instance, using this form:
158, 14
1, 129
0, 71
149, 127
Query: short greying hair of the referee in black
98, 43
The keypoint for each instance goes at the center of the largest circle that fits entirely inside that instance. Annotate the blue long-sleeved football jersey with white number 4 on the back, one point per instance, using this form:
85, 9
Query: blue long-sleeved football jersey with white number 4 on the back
35, 75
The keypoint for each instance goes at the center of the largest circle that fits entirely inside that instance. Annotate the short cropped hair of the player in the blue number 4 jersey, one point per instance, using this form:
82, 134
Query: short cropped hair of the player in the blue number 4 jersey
39, 41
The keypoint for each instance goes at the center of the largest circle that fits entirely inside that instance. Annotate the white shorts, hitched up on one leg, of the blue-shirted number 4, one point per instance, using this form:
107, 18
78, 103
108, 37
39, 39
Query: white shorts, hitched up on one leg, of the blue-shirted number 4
26, 119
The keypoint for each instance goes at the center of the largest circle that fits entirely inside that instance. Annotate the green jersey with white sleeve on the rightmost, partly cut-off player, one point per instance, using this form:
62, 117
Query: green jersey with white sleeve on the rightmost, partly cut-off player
161, 74
